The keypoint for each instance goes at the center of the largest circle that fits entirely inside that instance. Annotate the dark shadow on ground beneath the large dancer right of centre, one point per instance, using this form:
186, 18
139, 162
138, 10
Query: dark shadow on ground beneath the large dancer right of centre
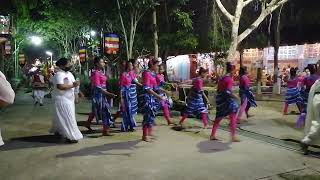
213, 146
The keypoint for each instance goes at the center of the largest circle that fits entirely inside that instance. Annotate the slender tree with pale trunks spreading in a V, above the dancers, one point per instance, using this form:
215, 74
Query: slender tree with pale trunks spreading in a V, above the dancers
130, 13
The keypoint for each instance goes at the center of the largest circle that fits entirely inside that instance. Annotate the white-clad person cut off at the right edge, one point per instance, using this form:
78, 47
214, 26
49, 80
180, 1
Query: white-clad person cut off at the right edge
312, 126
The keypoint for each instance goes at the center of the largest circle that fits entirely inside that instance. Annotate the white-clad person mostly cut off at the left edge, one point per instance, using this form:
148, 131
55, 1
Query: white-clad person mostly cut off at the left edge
6, 96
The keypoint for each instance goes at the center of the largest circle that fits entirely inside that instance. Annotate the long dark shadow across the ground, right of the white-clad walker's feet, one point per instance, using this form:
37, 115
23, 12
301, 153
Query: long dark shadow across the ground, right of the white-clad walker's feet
101, 150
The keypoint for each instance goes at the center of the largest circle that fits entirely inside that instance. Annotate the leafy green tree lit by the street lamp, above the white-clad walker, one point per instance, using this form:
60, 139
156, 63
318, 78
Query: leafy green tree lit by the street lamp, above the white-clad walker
62, 25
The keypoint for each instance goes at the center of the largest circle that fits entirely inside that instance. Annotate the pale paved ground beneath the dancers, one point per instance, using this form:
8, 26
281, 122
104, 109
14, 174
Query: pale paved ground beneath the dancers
30, 153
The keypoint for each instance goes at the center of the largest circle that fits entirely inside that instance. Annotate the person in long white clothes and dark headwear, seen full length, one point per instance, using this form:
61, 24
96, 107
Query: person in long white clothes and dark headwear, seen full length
64, 122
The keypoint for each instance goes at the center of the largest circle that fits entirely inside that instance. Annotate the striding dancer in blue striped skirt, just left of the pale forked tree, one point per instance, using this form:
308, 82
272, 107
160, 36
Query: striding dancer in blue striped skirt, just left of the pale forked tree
195, 102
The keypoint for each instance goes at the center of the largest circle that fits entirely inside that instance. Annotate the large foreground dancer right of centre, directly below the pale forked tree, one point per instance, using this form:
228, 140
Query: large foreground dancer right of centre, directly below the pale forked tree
226, 104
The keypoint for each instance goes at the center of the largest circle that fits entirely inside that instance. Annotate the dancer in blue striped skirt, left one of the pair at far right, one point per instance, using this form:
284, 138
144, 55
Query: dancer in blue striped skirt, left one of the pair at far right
293, 95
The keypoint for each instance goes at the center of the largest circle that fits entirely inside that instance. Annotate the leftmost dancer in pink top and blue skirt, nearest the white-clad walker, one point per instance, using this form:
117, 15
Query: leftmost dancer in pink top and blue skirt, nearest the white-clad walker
100, 105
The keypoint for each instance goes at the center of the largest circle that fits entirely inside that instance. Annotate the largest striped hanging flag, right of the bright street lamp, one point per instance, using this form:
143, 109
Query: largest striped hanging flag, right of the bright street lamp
111, 43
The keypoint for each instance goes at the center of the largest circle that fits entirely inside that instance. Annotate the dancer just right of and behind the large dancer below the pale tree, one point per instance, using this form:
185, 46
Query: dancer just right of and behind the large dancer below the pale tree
246, 95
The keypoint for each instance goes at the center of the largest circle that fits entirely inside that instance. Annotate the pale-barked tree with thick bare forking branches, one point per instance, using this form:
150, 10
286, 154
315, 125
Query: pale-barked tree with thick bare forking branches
267, 7
